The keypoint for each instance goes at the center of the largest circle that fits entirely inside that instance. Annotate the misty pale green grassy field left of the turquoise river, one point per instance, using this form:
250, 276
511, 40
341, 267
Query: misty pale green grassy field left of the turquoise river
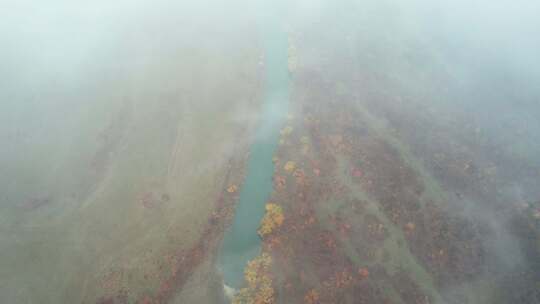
172, 129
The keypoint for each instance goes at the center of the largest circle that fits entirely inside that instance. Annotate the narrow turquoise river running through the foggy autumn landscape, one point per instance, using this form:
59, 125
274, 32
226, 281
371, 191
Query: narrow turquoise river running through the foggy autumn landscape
241, 242
